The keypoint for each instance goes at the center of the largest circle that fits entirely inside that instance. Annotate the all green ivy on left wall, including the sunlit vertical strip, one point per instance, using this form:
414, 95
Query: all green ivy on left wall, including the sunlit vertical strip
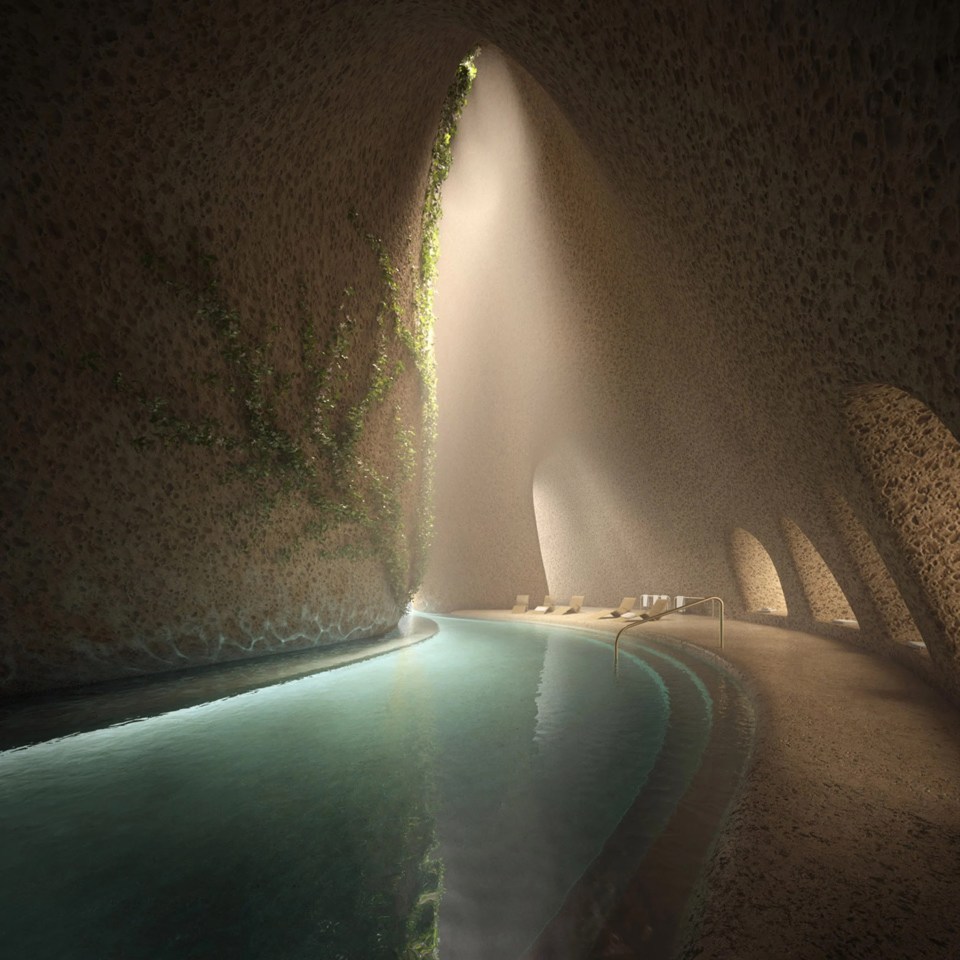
292, 432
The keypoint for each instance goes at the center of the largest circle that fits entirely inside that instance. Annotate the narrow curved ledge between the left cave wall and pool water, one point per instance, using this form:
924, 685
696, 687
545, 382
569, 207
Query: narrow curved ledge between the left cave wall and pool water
37, 718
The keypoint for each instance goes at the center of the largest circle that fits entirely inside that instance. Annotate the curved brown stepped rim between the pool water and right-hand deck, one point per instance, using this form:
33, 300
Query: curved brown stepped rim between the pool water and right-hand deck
644, 919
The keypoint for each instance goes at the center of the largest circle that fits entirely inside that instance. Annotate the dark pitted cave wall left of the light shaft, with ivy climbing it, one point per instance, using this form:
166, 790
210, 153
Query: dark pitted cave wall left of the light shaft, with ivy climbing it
140, 143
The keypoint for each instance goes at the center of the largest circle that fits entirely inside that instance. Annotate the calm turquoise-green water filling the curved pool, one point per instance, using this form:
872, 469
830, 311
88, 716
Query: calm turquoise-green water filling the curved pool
459, 787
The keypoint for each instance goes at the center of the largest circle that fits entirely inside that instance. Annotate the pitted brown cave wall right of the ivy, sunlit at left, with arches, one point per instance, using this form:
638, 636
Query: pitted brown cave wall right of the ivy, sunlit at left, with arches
754, 219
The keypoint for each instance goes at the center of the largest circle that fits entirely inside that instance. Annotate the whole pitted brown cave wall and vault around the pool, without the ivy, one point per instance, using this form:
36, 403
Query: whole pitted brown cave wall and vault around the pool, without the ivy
753, 209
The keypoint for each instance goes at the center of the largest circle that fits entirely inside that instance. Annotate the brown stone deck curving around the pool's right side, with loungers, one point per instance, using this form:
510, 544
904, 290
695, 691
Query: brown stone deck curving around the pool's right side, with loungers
845, 841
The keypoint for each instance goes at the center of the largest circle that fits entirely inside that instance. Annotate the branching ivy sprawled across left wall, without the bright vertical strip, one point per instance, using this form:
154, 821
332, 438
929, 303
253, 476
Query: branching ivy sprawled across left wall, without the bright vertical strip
309, 455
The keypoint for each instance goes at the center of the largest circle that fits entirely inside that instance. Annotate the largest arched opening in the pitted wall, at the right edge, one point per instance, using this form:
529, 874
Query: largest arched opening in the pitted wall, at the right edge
912, 461
